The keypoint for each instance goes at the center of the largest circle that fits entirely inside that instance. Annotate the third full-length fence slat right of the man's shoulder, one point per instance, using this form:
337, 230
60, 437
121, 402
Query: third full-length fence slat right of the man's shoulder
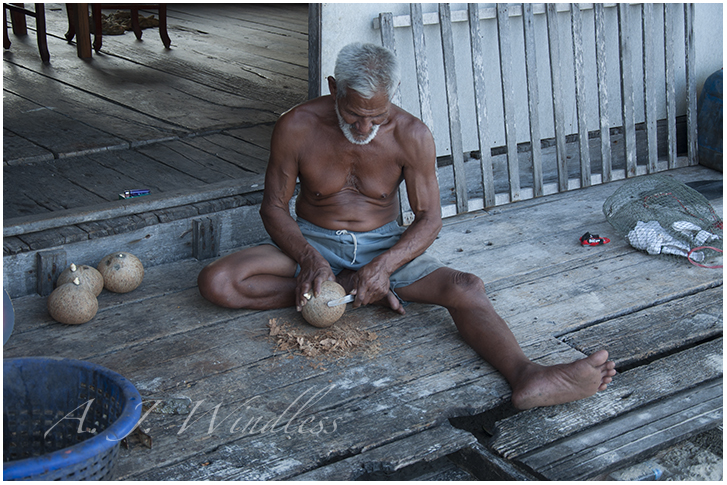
503, 31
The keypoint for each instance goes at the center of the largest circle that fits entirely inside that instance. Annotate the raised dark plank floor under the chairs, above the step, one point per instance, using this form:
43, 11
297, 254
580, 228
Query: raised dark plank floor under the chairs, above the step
84, 131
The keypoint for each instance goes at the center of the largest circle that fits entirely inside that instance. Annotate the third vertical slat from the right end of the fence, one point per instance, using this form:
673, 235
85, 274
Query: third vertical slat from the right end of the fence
647, 28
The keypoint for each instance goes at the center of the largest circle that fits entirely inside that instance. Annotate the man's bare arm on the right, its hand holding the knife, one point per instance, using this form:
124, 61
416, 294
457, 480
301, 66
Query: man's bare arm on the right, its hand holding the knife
419, 170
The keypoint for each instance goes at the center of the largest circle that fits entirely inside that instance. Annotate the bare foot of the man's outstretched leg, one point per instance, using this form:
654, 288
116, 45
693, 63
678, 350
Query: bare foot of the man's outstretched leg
562, 383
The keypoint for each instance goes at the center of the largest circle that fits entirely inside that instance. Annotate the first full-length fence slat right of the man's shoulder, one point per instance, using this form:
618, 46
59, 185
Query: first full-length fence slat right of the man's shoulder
455, 130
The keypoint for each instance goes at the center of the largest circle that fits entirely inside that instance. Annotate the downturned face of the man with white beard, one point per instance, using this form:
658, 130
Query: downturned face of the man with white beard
360, 118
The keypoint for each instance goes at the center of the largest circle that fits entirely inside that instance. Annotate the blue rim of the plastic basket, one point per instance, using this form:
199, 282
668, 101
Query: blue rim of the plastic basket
97, 445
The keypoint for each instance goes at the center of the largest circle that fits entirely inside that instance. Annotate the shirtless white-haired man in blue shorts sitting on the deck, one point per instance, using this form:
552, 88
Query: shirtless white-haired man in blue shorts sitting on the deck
350, 150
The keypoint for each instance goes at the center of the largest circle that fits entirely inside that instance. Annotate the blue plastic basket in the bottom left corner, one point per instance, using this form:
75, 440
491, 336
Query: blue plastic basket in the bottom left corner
64, 419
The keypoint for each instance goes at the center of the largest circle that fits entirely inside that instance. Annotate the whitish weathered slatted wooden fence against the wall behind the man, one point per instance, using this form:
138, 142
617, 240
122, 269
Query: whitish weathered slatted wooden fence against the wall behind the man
564, 63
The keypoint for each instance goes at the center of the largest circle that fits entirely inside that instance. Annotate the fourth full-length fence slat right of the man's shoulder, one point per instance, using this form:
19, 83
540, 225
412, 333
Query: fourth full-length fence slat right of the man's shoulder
531, 74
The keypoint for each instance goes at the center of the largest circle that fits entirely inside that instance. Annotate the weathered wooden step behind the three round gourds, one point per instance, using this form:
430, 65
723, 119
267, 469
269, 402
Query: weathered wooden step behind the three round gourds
157, 229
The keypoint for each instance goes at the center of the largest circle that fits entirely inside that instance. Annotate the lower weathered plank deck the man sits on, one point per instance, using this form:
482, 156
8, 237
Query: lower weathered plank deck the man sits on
256, 411
